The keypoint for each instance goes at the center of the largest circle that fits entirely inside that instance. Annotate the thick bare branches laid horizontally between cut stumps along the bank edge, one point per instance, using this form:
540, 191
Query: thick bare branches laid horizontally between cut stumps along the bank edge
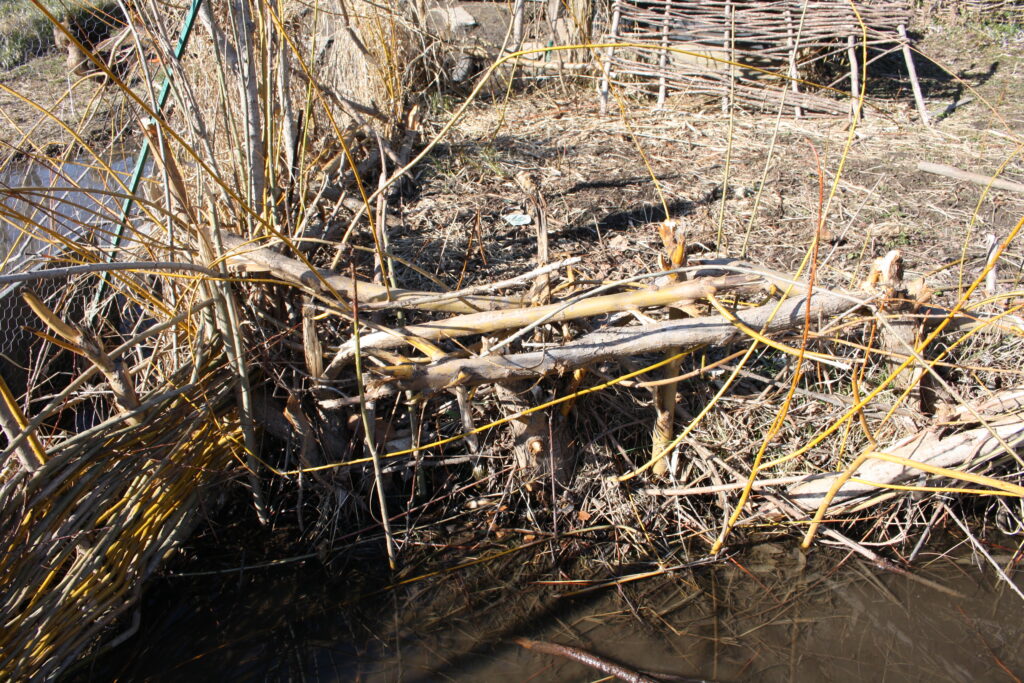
511, 343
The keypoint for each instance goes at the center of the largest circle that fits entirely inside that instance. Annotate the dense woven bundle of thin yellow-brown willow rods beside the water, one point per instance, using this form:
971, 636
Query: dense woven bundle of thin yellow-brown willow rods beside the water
89, 517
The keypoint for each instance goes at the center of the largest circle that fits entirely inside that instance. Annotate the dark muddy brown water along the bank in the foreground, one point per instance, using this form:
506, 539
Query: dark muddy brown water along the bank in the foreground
771, 615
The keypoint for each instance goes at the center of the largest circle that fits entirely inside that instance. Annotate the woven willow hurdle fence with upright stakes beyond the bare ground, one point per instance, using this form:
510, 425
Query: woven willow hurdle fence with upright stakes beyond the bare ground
748, 53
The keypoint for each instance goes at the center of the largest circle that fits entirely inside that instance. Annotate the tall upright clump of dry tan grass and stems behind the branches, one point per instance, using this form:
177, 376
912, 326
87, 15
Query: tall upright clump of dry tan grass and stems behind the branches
329, 84
